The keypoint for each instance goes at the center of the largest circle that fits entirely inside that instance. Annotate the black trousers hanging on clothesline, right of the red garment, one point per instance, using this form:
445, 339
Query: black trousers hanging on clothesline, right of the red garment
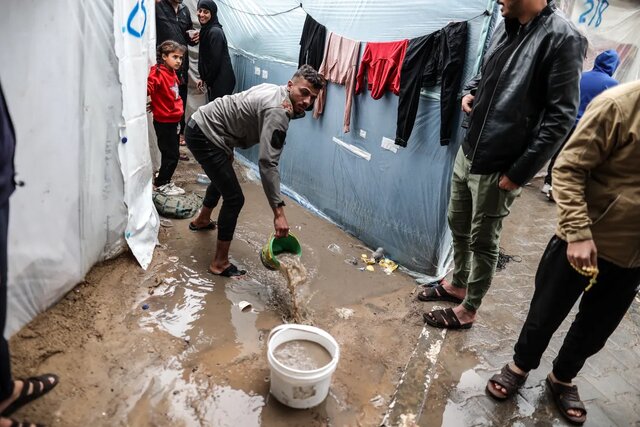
438, 56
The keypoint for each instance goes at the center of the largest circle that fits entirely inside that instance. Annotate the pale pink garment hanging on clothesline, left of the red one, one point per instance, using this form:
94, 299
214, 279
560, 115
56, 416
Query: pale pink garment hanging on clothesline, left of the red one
339, 66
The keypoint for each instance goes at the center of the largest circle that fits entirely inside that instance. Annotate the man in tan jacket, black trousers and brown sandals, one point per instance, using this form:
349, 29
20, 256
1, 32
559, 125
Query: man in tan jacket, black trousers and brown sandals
597, 188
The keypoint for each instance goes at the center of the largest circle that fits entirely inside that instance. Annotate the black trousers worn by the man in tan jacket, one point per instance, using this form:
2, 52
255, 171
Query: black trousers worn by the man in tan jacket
558, 287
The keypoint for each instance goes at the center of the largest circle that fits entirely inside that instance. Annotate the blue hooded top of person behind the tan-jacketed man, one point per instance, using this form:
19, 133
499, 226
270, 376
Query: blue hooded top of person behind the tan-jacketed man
596, 81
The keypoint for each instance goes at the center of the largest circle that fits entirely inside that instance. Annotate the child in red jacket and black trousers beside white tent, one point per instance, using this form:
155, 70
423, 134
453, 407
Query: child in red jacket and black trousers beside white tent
167, 109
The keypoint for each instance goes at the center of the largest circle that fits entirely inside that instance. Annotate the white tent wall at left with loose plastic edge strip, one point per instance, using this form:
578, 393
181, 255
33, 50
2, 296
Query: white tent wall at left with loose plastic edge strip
64, 93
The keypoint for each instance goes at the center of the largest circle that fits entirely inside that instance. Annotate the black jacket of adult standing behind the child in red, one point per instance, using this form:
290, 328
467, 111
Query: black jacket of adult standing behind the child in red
173, 26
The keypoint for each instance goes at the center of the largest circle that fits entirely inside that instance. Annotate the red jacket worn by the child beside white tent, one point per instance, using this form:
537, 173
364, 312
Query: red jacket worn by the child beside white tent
162, 87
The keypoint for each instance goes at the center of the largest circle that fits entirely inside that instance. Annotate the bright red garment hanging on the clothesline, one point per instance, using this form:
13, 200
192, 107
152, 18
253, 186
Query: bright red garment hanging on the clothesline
383, 62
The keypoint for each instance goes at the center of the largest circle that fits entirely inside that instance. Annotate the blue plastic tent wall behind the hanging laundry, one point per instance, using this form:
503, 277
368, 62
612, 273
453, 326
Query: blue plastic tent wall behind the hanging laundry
395, 200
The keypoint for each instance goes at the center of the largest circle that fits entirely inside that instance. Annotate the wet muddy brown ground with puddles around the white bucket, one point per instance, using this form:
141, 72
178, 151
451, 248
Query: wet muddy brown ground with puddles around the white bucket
192, 357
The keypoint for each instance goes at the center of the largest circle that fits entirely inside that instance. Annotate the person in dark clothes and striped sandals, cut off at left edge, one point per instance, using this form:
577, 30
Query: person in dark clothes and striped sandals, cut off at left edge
13, 393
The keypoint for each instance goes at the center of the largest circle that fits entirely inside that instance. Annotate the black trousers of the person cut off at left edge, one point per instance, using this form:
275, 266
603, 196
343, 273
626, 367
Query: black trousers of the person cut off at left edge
6, 382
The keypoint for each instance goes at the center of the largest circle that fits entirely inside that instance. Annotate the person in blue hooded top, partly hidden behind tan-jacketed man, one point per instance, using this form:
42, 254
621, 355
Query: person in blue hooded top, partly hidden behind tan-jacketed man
592, 84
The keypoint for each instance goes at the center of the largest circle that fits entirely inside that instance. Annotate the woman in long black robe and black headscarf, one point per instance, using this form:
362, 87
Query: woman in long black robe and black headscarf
214, 62
